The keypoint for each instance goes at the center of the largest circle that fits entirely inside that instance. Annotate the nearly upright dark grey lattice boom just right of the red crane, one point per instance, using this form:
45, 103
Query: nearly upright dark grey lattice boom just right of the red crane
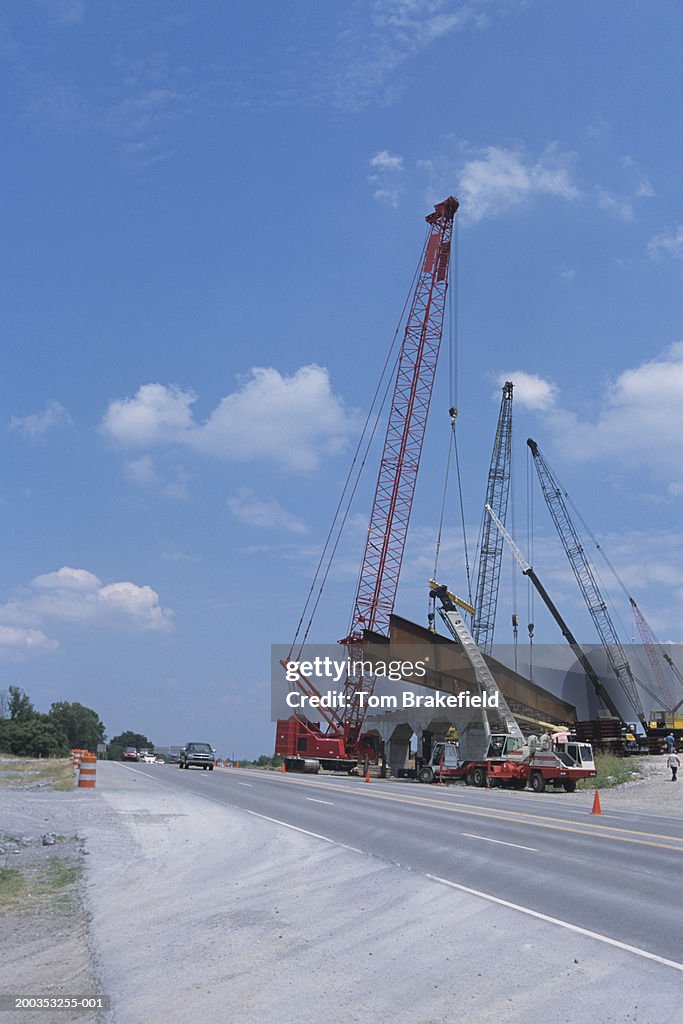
491, 551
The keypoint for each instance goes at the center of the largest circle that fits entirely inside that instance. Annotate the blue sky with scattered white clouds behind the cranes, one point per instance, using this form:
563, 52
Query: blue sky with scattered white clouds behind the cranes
210, 220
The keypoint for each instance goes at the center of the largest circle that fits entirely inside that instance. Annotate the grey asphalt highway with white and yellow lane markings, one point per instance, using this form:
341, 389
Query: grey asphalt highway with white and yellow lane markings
619, 876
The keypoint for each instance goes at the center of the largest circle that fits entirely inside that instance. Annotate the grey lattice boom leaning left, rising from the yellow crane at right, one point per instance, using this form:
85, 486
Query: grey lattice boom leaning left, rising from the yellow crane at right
554, 496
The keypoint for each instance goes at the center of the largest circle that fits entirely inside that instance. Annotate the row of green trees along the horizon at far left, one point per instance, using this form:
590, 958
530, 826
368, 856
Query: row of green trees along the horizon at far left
30, 734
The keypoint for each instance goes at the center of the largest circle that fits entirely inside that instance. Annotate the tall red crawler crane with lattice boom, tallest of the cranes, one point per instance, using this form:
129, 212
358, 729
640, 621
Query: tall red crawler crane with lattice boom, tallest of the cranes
341, 745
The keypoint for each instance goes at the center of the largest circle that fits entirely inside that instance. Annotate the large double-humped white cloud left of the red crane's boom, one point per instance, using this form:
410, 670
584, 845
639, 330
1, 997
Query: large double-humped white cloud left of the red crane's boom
293, 421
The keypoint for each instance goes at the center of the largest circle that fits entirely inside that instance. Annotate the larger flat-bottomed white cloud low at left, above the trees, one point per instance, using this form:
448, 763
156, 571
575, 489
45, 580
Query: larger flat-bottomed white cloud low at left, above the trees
72, 595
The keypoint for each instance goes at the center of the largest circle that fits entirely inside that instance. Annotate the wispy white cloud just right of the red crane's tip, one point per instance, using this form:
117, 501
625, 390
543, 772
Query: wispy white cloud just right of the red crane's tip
500, 180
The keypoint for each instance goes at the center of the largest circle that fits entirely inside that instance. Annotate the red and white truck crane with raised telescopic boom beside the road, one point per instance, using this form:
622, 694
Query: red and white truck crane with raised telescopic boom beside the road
505, 759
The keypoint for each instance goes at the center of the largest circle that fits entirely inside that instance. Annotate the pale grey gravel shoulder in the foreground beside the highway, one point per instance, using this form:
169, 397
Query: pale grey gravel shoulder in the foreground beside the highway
194, 909
